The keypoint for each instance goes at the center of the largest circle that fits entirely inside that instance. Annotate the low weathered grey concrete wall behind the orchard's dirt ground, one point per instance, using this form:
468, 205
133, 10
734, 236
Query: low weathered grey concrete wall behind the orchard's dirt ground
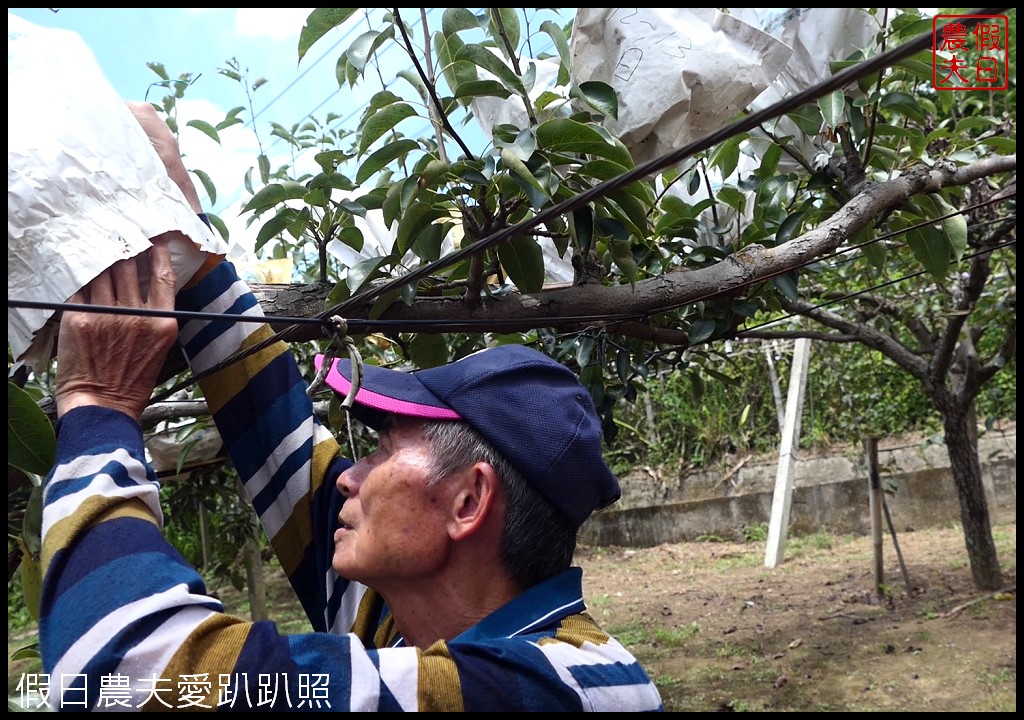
831, 492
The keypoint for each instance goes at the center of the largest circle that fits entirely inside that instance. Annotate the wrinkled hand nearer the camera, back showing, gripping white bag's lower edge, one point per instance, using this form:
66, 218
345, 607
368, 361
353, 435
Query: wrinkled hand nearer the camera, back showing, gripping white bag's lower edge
114, 361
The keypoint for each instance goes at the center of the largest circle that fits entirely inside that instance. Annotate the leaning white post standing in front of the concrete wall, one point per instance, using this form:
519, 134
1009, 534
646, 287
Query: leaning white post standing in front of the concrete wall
787, 460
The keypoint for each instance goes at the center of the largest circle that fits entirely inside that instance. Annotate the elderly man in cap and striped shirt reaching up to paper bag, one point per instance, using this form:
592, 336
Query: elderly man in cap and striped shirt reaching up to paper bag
437, 572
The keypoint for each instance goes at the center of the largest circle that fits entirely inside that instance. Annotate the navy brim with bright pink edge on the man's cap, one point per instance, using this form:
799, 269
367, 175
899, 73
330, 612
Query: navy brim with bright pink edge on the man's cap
388, 393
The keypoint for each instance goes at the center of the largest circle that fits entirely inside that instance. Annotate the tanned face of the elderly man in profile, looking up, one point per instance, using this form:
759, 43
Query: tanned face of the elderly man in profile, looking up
394, 527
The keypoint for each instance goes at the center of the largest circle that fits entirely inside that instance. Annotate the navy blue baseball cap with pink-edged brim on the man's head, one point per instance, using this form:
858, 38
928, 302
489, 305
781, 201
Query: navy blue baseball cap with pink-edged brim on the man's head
531, 408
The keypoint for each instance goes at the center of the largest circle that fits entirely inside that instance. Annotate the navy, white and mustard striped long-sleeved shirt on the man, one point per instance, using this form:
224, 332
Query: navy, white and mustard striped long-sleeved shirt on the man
126, 623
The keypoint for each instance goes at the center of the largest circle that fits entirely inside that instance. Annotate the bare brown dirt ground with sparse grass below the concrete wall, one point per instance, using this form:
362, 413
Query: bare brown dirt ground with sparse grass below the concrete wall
719, 632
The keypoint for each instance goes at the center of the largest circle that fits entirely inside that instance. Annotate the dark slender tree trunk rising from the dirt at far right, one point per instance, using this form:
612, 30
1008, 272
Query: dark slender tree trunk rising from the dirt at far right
962, 444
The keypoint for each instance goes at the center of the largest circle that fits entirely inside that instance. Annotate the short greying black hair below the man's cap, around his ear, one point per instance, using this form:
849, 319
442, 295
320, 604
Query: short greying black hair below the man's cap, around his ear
538, 541
